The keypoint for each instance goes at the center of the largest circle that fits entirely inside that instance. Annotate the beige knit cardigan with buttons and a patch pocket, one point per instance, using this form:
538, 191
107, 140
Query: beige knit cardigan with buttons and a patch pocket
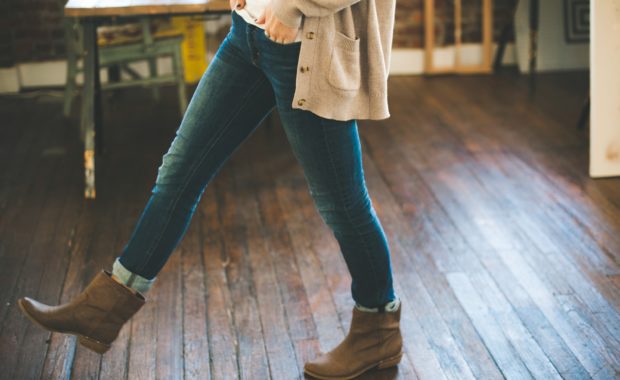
344, 57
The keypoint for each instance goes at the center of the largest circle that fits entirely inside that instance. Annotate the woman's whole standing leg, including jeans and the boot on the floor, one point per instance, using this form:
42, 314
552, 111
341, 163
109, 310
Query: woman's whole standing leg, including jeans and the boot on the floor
330, 154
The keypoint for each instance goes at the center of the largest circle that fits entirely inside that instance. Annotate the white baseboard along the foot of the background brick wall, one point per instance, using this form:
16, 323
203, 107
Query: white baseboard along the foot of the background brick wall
53, 73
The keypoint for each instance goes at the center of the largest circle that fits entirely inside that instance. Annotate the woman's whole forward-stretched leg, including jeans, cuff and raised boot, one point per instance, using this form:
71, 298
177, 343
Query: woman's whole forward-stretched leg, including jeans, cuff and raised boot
231, 100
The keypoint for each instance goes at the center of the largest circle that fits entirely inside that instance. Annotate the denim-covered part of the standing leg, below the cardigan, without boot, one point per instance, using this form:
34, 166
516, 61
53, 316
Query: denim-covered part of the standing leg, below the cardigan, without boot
329, 152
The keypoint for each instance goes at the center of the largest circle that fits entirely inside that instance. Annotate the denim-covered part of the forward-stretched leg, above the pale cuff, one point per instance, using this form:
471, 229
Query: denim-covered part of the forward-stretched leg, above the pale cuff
231, 100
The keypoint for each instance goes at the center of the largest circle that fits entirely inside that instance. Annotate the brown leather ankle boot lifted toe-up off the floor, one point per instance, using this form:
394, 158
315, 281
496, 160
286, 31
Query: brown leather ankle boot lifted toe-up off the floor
96, 315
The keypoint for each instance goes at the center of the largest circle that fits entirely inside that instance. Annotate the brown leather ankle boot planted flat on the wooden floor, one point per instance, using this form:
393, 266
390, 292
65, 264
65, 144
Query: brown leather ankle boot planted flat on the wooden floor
373, 341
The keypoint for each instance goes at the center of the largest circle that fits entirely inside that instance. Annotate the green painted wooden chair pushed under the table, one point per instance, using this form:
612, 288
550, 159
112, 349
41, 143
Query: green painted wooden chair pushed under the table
120, 45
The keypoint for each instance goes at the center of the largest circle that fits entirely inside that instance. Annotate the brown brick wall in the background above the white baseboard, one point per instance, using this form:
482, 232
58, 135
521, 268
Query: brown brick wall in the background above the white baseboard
31, 30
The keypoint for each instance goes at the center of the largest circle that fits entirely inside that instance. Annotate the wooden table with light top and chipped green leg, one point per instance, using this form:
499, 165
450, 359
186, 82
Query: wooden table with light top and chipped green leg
91, 13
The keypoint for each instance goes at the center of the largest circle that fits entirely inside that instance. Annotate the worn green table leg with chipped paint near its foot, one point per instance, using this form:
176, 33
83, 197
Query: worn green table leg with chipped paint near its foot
91, 110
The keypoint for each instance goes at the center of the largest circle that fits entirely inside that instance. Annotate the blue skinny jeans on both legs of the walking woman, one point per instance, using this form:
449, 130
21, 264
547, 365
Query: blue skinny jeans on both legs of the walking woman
249, 76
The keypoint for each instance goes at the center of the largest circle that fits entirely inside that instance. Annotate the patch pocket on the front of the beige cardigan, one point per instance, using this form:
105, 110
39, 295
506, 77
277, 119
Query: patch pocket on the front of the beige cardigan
344, 68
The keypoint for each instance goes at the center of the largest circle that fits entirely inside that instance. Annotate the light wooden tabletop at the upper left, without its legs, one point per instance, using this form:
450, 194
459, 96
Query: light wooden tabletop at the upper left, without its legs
92, 8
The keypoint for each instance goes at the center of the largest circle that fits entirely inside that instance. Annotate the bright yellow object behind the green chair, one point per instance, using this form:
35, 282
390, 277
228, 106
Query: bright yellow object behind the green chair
193, 48
